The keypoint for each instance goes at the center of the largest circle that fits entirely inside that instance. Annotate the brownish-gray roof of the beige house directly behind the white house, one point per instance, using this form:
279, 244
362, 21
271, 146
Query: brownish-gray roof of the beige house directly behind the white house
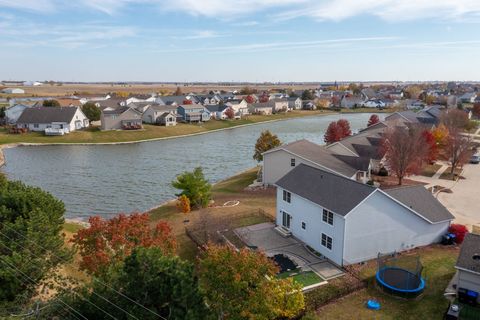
319, 155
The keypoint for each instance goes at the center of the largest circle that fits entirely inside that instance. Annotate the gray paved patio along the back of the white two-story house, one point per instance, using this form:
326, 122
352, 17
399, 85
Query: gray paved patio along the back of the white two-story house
271, 242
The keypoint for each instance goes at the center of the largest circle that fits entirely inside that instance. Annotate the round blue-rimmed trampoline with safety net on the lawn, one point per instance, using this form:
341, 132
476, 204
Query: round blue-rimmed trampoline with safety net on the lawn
400, 279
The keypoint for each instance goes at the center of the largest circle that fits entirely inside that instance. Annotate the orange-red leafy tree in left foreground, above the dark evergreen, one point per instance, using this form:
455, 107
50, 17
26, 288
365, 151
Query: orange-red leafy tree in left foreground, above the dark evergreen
107, 242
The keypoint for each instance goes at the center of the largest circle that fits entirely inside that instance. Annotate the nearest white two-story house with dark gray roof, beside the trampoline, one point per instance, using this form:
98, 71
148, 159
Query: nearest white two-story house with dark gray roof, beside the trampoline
350, 222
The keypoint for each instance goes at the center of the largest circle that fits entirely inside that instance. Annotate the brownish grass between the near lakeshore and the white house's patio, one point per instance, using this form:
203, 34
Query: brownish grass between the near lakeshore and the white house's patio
218, 218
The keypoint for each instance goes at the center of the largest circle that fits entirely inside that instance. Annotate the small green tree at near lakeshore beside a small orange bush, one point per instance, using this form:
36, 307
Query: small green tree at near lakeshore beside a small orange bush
195, 187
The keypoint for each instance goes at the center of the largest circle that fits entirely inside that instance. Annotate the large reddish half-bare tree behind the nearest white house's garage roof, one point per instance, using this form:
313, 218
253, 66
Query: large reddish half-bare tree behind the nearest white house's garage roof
405, 150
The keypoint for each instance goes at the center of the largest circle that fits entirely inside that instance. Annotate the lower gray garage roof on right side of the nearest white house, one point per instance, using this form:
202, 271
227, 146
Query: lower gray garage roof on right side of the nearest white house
421, 201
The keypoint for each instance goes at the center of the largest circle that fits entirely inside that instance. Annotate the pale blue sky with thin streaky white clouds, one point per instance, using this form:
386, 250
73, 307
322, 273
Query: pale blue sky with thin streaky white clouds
240, 40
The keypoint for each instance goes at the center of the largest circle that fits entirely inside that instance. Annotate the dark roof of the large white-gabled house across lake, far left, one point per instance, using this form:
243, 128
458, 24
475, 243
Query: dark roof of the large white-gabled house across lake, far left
47, 114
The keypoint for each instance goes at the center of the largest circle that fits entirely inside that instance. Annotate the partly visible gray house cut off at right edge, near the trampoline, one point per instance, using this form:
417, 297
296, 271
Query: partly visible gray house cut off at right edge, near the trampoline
468, 267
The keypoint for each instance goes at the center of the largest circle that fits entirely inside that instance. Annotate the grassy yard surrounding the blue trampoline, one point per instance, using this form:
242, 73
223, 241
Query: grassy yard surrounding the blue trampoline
438, 262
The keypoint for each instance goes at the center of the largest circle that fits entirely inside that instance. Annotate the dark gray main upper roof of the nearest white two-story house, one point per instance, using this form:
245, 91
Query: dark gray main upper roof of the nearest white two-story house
324, 188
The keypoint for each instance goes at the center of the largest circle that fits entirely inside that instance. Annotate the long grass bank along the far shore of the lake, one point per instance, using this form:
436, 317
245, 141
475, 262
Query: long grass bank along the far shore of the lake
95, 135
